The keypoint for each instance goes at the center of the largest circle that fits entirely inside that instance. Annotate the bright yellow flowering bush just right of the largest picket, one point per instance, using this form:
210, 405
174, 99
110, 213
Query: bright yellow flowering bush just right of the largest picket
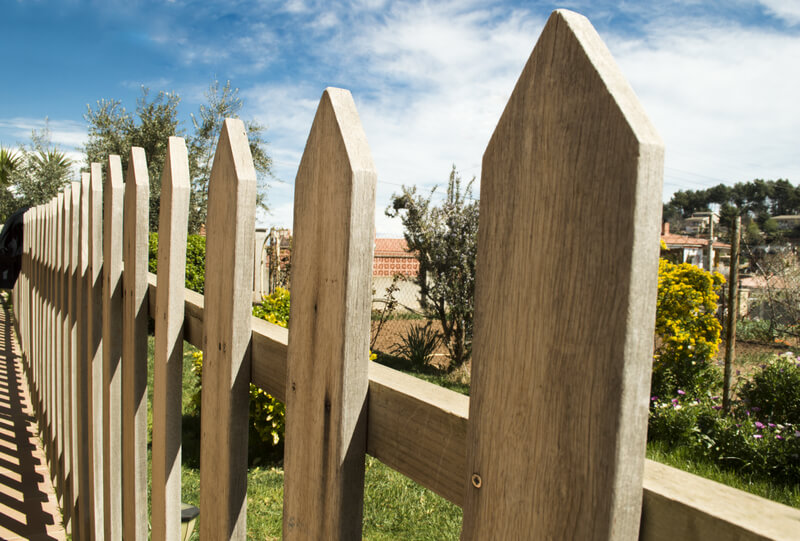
687, 328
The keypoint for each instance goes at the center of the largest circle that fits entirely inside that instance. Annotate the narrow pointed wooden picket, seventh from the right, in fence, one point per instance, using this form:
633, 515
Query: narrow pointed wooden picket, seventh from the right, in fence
94, 320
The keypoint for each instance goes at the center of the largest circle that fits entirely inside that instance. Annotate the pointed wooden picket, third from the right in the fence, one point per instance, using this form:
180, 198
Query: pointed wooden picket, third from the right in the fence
226, 350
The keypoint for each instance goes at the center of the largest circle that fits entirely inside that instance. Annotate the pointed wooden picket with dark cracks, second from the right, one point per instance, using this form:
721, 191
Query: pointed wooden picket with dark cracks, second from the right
327, 371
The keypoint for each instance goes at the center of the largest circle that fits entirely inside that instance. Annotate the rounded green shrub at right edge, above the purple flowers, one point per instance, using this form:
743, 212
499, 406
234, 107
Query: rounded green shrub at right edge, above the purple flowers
774, 390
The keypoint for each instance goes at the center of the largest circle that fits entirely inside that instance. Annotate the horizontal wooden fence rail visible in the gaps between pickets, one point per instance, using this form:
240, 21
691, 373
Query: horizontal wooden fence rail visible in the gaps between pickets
419, 429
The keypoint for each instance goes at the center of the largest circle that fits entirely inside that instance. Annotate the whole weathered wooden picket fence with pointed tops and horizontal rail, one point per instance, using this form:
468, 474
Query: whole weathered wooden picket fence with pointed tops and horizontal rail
551, 444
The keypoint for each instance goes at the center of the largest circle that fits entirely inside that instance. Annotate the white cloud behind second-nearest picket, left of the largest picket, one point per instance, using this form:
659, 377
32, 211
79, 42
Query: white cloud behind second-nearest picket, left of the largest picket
429, 82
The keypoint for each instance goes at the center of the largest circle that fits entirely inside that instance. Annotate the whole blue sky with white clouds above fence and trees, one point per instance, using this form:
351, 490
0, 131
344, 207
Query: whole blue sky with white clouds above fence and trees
719, 79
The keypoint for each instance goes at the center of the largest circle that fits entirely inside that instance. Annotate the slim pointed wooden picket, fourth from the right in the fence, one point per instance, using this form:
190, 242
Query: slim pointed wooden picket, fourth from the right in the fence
168, 353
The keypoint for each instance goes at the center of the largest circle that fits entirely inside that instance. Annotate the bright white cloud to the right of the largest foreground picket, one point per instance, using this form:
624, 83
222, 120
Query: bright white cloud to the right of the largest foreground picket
723, 98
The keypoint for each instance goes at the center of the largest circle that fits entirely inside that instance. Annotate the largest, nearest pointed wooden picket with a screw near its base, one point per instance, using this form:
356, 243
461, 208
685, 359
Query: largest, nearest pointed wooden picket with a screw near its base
565, 300
